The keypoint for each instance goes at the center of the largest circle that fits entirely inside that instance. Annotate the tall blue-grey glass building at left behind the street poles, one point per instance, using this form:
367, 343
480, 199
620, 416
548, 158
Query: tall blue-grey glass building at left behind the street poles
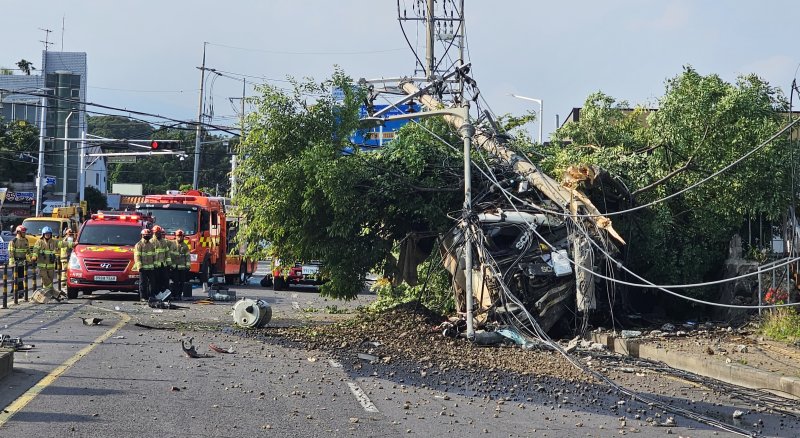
64, 79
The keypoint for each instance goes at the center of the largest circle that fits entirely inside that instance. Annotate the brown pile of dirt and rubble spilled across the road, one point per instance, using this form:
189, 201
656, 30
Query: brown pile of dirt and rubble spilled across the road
408, 336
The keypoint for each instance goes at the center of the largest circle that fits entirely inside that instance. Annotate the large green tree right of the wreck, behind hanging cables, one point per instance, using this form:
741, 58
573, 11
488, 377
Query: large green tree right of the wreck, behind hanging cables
702, 125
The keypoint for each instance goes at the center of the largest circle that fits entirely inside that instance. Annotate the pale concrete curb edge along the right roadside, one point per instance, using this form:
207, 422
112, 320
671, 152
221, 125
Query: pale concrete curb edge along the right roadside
733, 373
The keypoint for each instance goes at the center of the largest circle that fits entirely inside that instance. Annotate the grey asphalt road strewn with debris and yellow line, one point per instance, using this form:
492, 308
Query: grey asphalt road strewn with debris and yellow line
120, 379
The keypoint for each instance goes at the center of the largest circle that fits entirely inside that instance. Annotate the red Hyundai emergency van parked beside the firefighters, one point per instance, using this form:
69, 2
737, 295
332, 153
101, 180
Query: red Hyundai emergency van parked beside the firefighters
103, 255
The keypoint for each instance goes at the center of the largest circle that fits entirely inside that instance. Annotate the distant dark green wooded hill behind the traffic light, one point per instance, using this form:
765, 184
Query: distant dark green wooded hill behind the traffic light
161, 173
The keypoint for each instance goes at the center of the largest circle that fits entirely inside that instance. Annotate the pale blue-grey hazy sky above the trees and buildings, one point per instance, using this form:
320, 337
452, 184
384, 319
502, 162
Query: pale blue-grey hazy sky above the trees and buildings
143, 55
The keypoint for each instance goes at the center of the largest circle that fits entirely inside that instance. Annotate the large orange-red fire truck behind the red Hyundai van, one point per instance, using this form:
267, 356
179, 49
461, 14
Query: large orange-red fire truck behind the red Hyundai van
207, 229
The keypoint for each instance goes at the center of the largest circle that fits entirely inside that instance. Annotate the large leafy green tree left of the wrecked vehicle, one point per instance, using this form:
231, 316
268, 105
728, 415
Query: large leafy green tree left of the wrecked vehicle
311, 201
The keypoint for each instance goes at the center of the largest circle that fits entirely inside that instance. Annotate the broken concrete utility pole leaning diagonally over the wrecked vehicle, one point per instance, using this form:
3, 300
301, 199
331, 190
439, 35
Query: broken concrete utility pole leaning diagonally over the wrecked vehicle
567, 198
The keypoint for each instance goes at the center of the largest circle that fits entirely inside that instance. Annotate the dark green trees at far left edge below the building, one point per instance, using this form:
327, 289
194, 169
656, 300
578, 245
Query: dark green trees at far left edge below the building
17, 137
